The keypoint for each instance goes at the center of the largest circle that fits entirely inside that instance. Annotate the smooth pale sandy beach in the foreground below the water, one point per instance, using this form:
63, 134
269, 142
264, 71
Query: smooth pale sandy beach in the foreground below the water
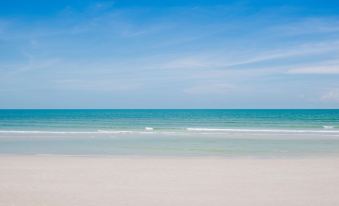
112, 180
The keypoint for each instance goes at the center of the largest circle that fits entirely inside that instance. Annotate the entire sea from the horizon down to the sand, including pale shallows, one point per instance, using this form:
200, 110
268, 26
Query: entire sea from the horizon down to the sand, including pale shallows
170, 132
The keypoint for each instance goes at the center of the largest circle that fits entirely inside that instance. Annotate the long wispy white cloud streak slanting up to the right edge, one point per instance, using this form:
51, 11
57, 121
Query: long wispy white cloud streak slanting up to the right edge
222, 59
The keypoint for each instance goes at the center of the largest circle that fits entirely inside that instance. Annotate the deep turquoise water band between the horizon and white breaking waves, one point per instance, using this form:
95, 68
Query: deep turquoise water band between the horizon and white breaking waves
94, 120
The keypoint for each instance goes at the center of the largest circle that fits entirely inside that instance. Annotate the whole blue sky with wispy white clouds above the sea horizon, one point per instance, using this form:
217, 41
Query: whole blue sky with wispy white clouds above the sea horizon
169, 54
